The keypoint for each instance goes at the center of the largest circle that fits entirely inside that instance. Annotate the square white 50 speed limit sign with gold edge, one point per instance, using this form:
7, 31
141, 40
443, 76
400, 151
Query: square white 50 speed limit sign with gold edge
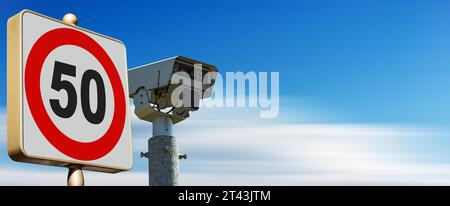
67, 95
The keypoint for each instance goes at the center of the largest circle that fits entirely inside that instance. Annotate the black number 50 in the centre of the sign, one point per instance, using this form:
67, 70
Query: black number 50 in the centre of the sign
67, 111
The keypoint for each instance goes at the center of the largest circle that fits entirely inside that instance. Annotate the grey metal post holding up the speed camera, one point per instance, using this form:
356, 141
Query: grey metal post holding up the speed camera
163, 154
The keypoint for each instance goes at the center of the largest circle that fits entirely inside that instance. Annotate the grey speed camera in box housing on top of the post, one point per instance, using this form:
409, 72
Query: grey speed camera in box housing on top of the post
153, 85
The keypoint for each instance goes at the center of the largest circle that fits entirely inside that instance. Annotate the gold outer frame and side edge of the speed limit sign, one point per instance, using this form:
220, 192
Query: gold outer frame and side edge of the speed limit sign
15, 97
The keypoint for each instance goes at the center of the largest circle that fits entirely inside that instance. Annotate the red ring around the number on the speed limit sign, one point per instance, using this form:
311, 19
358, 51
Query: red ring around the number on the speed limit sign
39, 52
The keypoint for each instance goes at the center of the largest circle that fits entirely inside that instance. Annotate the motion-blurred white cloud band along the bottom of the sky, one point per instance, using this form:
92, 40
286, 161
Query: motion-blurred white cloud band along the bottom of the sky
232, 147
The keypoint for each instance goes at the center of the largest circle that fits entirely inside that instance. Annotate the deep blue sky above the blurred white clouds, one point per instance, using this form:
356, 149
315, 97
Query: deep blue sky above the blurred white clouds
370, 61
